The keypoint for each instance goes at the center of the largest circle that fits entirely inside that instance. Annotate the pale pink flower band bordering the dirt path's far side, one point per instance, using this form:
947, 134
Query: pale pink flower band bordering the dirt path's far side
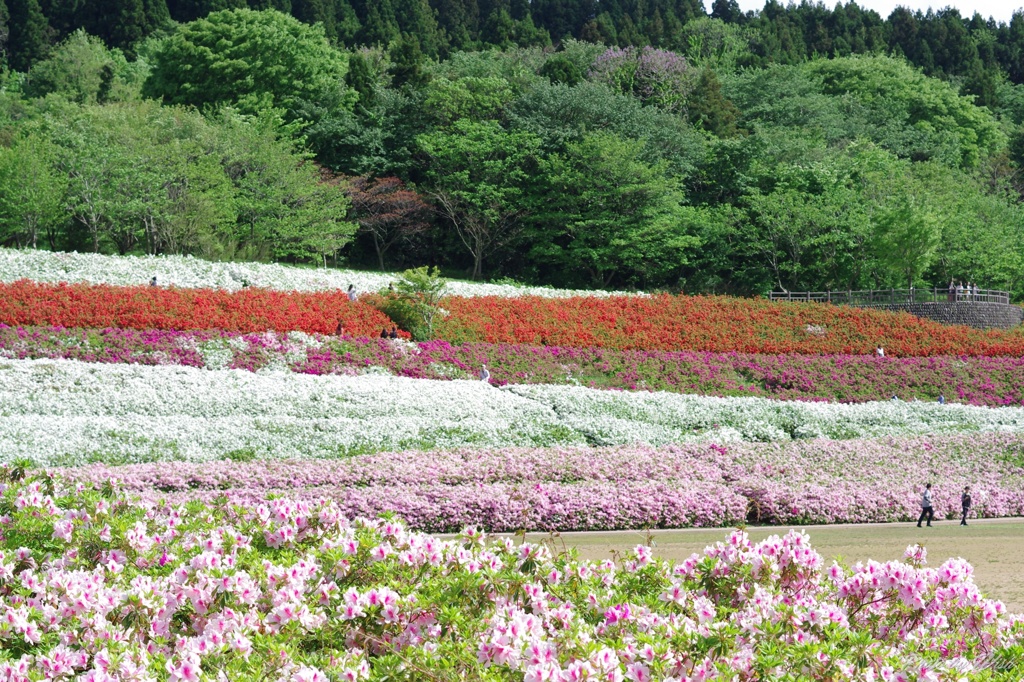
587, 489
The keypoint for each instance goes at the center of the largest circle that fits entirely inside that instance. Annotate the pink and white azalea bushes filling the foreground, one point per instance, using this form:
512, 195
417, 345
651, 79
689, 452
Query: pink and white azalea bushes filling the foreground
97, 586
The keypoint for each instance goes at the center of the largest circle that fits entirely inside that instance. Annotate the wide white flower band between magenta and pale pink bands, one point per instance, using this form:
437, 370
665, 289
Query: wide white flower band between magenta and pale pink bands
65, 412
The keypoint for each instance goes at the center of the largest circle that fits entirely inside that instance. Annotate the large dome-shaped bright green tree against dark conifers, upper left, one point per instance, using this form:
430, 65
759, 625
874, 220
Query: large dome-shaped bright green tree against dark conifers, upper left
248, 60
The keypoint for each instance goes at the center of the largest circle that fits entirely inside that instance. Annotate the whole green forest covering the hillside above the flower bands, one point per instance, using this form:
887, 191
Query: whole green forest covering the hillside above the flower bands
565, 143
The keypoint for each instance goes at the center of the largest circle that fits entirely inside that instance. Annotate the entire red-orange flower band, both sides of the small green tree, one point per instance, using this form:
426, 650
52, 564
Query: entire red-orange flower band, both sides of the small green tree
628, 323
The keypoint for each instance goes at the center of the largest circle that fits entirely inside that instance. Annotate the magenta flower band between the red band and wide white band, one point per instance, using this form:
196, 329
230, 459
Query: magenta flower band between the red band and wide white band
985, 381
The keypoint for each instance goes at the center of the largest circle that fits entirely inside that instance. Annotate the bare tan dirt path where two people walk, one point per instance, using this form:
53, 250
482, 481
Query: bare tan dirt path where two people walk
995, 547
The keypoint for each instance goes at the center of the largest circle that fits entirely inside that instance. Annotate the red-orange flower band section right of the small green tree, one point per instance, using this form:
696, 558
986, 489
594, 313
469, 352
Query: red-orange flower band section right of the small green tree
714, 324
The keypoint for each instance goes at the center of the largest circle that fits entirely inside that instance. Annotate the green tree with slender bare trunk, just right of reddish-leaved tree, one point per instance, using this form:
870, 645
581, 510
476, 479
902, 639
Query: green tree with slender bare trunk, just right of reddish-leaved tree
478, 174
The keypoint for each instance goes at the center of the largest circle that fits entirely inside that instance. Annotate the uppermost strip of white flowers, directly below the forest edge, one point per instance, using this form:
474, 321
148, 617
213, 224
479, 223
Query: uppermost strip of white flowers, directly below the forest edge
197, 274
